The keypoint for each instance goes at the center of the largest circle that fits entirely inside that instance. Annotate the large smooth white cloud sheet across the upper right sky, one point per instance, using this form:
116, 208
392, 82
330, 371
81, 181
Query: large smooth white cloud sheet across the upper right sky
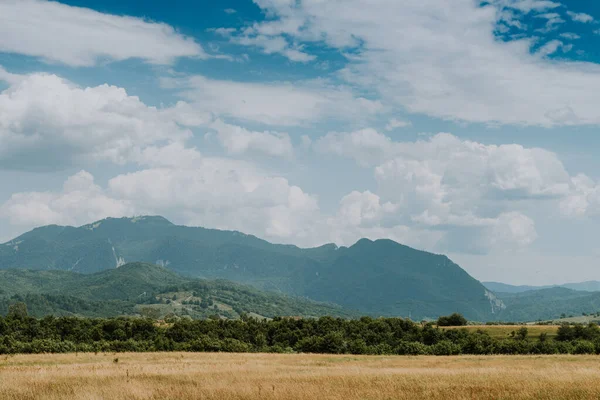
454, 69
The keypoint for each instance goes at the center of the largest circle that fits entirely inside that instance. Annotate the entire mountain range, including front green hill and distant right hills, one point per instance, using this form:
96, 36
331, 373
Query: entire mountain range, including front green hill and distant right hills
128, 266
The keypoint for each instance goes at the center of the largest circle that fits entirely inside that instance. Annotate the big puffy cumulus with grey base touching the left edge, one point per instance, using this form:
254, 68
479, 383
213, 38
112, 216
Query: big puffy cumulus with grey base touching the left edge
48, 122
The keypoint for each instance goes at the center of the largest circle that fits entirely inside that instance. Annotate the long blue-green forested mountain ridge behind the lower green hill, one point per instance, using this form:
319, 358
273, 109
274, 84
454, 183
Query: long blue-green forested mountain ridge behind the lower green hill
375, 277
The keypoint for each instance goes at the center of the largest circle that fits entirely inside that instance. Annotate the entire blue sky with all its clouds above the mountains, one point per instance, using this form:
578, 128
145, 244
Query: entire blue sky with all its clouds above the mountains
467, 128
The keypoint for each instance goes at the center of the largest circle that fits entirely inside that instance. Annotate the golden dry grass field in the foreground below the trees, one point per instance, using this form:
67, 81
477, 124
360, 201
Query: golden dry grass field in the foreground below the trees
296, 376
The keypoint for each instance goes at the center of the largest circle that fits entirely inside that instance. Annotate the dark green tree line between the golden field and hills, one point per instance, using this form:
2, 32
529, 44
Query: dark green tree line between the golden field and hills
20, 333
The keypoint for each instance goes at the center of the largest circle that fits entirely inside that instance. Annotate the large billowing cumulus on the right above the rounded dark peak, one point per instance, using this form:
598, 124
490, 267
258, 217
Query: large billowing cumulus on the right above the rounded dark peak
469, 193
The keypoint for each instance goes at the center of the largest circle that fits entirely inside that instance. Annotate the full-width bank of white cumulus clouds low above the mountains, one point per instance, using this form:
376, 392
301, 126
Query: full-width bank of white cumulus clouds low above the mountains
441, 194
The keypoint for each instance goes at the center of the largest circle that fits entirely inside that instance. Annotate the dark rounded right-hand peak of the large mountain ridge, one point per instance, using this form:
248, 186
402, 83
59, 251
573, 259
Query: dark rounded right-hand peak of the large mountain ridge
392, 279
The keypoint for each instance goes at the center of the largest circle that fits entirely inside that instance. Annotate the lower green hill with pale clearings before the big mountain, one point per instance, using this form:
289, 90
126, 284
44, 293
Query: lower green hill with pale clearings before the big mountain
140, 288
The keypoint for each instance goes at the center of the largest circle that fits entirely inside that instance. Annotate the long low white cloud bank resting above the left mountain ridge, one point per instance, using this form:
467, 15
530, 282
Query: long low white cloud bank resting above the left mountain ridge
216, 193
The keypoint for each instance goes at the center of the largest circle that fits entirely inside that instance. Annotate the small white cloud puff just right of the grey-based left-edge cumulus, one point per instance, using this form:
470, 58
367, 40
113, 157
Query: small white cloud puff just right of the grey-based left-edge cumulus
238, 140
